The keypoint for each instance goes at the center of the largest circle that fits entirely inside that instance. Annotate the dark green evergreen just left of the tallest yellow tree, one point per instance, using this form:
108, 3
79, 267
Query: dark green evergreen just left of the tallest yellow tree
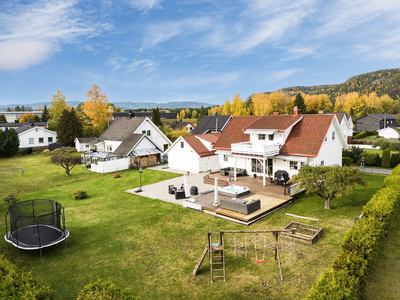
69, 127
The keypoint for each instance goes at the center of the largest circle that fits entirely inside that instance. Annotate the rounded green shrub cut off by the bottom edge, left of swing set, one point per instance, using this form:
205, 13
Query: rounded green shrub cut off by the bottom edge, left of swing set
104, 290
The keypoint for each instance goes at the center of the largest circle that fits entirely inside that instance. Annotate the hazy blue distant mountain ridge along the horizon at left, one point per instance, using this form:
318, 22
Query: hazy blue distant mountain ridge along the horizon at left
123, 105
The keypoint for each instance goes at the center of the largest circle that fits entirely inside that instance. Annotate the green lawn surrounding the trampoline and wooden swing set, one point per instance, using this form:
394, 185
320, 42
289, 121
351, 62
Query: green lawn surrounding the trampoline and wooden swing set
152, 246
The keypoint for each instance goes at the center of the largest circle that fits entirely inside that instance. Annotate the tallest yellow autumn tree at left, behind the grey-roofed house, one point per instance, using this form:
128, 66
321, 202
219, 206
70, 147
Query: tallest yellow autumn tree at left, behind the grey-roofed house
96, 108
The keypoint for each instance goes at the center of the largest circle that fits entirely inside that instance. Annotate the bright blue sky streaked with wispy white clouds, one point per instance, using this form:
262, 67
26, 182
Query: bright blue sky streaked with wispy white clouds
189, 50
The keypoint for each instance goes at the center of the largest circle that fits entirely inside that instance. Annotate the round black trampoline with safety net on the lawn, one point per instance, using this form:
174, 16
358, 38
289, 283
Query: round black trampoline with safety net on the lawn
36, 224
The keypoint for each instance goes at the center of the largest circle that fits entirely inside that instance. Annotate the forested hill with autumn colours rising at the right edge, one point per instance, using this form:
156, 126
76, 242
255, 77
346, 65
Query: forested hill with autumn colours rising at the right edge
381, 82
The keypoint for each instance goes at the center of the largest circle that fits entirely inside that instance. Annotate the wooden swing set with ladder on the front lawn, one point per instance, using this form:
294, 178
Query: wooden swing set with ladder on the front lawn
216, 250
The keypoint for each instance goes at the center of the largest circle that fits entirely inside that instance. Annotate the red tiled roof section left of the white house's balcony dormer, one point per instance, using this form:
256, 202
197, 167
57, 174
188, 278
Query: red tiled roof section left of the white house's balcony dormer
233, 132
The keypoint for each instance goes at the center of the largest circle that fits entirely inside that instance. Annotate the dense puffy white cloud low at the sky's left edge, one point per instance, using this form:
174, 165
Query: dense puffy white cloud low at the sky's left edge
25, 53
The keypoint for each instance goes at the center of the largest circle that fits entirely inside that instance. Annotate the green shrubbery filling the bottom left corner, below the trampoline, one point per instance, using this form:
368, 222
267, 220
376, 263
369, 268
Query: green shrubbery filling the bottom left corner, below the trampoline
15, 284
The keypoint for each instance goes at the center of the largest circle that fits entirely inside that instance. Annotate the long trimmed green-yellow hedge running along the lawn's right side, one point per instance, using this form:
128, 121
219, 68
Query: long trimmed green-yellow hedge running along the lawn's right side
361, 245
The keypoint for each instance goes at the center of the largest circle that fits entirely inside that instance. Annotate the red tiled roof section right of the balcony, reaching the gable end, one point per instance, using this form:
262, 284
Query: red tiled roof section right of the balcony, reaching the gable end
307, 136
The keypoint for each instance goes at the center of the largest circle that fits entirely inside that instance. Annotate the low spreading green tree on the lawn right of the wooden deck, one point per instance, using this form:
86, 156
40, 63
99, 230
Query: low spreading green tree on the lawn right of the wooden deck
328, 182
